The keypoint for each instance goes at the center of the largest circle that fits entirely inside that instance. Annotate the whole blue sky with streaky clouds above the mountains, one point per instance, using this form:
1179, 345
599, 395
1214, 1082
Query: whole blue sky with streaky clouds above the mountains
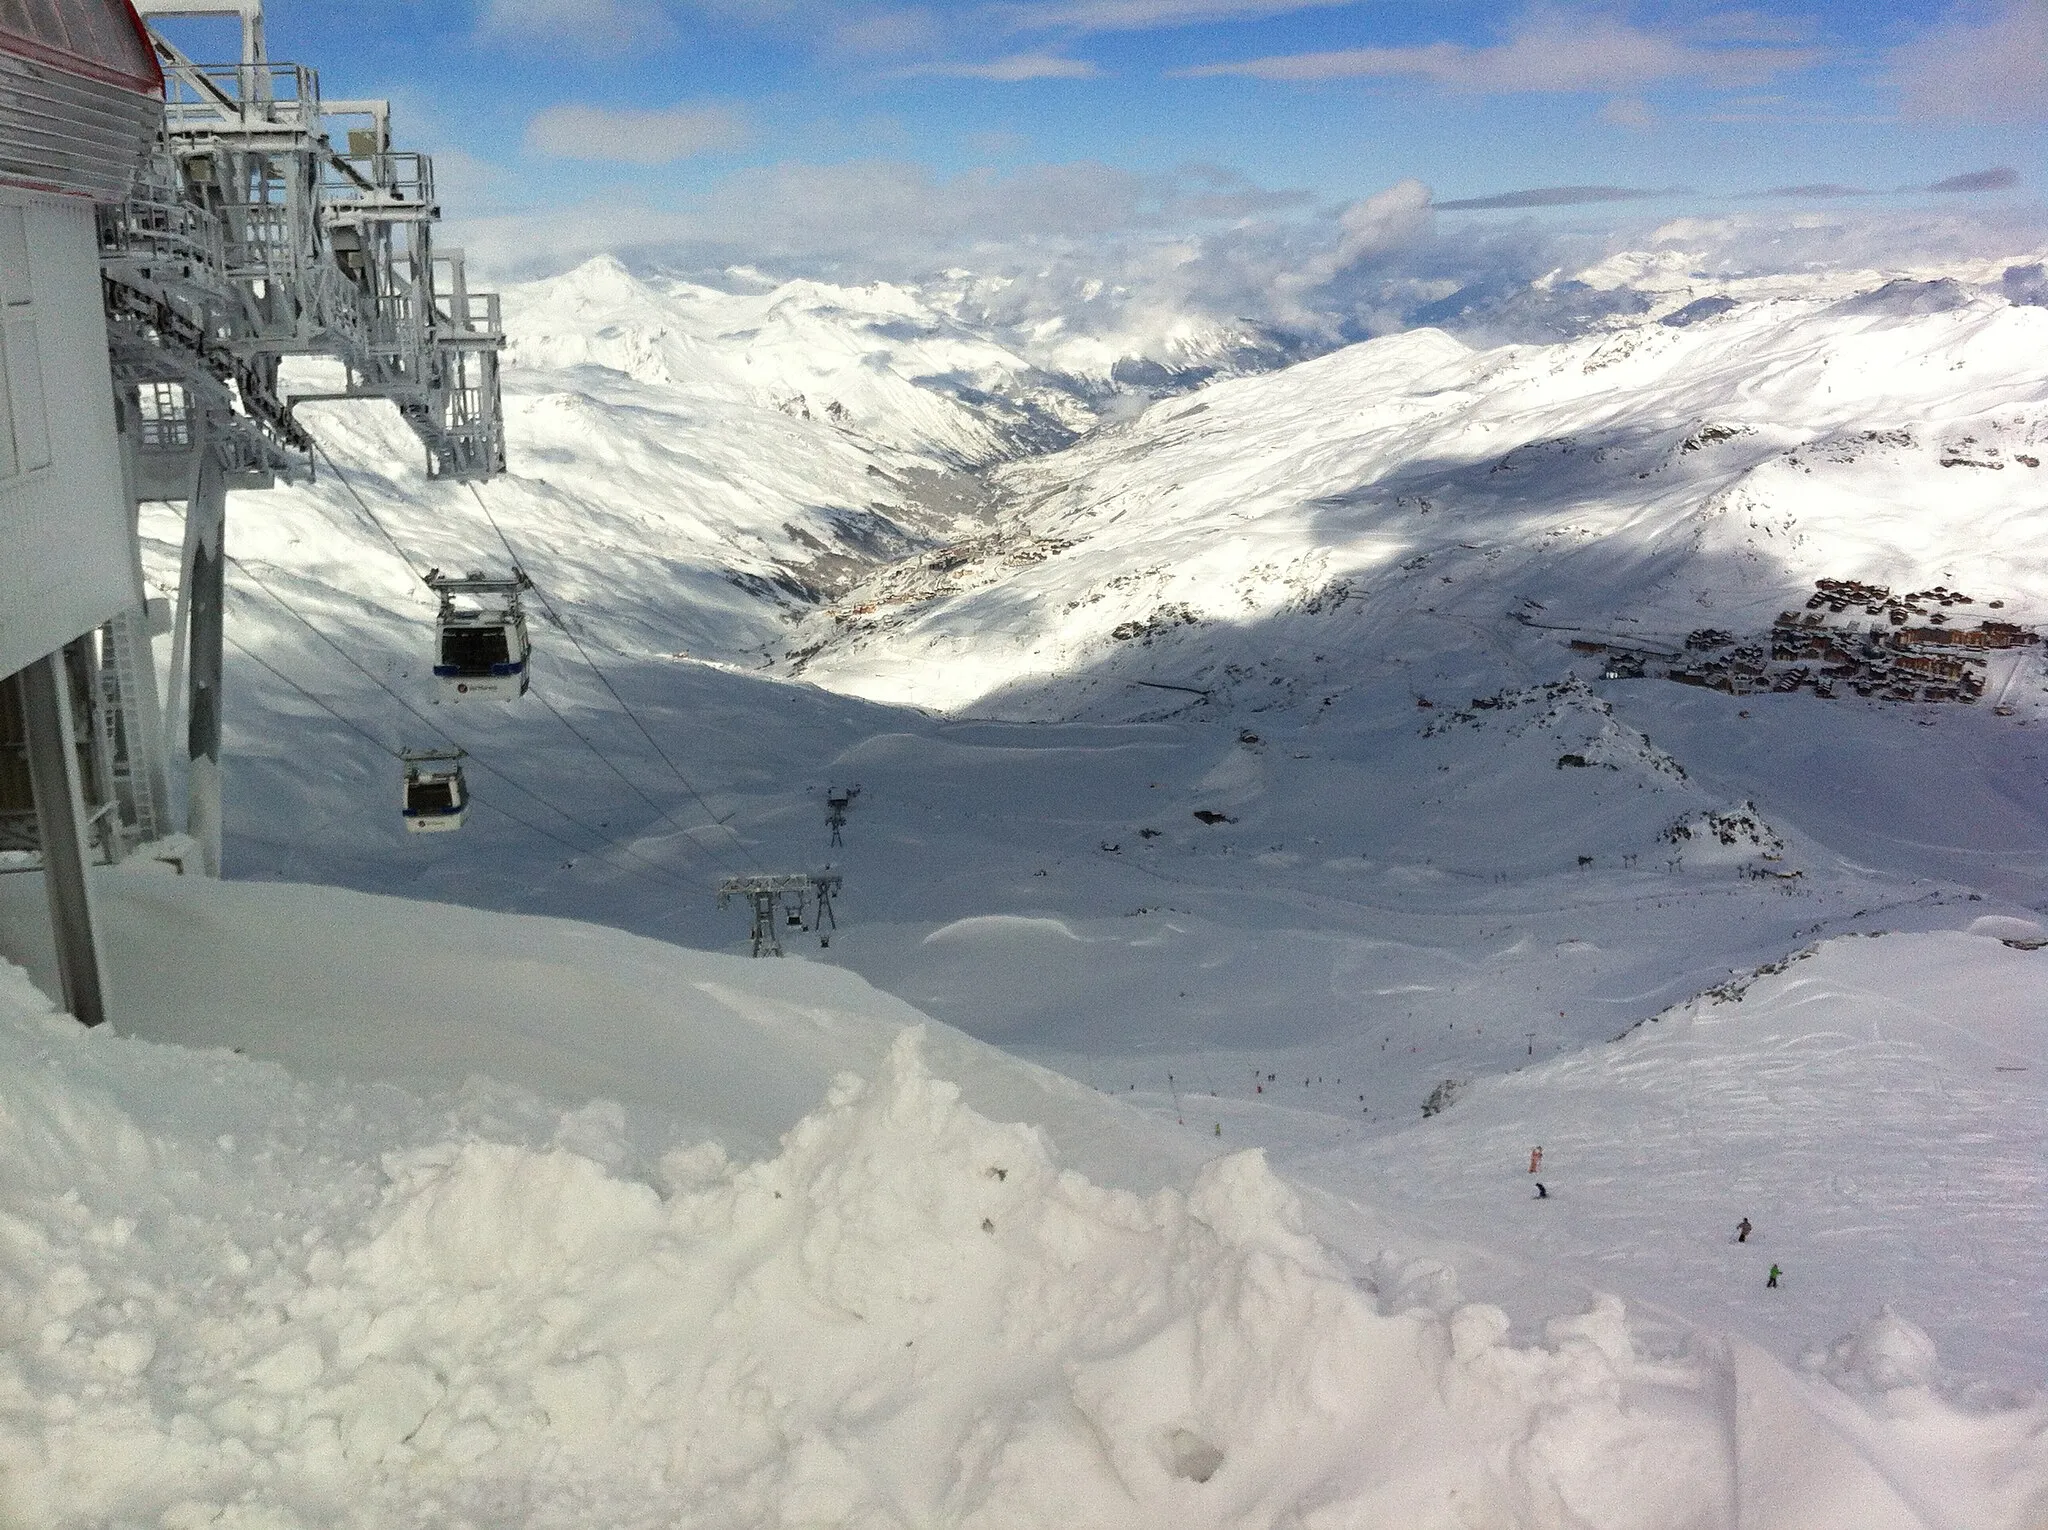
796, 124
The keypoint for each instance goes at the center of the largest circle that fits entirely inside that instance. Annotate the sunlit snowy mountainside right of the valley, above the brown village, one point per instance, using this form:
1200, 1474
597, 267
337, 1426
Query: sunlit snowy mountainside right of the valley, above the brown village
1639, 484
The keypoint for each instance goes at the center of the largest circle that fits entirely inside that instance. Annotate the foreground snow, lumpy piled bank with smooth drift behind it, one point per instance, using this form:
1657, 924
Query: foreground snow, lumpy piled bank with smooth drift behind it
292, 1300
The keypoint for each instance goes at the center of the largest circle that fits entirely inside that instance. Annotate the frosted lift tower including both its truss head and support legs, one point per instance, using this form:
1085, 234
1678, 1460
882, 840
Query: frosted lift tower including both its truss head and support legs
267, 222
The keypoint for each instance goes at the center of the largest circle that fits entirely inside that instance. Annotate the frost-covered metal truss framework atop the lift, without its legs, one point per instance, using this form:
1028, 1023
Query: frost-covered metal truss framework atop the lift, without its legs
273, 224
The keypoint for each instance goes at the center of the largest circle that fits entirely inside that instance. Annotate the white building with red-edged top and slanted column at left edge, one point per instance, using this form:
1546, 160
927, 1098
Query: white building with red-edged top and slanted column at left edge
81, 103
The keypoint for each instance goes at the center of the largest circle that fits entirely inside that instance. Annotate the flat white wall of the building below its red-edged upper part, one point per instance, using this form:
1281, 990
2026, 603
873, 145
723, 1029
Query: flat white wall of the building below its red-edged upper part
65, 517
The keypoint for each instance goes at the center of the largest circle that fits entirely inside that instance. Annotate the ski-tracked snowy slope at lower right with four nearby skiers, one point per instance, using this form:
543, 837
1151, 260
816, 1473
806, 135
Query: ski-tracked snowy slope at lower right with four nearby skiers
1875, 1107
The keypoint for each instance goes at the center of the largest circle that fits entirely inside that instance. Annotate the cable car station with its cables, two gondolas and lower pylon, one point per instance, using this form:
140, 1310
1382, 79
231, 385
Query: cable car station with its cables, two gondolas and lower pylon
181, 230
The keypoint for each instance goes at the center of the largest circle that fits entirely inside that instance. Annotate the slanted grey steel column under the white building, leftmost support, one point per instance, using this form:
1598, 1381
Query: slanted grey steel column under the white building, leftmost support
46, 706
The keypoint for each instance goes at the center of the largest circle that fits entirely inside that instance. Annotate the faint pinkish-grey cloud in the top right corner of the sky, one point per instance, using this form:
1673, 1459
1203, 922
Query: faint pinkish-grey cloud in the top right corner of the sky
1990, 67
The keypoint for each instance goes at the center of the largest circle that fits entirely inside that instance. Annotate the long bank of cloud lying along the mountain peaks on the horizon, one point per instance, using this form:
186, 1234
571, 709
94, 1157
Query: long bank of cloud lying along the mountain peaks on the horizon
1111, 253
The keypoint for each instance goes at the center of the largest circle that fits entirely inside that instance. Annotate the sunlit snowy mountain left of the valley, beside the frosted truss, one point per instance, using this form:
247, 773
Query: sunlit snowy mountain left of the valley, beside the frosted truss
787, 439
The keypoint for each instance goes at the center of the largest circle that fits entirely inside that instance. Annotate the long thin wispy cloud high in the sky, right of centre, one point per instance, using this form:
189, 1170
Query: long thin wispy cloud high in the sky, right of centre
1551, 52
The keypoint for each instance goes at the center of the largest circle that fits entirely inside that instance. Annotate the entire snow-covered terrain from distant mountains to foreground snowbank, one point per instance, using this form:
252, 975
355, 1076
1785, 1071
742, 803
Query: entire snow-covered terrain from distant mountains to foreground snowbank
1306, 759
